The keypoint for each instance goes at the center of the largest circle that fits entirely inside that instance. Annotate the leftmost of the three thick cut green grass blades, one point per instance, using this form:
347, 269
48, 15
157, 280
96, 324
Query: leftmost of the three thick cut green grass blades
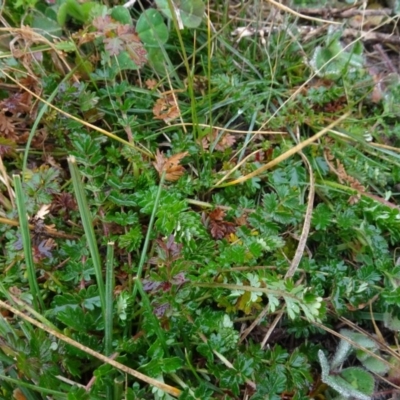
26, 241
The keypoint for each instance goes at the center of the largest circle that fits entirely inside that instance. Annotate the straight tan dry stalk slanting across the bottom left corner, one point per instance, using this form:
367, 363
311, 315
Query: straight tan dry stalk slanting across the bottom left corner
144, 378
